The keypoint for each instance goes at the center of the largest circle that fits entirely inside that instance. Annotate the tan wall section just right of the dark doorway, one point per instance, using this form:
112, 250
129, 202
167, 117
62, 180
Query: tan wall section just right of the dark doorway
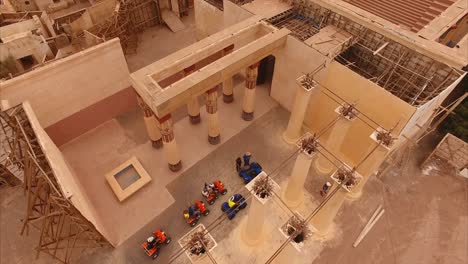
292, 61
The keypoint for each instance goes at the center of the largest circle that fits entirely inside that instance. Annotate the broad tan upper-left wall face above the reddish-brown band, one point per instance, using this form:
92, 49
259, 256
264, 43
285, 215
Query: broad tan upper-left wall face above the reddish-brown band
64, 87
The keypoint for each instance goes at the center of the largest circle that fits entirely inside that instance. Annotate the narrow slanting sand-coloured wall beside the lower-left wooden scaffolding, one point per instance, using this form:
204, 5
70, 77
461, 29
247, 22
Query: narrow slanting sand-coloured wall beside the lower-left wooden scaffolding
64, 174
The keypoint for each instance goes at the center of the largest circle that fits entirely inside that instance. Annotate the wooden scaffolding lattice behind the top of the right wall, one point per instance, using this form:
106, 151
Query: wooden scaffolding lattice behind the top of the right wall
407, 74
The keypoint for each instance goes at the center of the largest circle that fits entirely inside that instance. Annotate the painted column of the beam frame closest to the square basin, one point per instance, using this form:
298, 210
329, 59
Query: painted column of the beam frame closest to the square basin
170, 146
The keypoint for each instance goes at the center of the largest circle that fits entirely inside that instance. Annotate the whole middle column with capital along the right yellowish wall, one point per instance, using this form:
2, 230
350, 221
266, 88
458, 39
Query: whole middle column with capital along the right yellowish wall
335, 138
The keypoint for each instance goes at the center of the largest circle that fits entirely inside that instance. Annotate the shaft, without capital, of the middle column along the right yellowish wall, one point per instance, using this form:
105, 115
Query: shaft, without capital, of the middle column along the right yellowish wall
333, 145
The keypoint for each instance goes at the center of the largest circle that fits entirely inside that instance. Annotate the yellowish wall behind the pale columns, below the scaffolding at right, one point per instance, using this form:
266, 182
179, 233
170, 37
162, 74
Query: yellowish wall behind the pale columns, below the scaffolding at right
375, 102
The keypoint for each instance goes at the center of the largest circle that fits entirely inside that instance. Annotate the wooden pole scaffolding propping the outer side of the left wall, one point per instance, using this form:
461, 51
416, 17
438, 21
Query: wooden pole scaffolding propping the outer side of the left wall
63, 229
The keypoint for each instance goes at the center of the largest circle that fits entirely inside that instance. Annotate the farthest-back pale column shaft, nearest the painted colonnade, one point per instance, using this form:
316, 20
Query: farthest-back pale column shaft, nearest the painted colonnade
293, 132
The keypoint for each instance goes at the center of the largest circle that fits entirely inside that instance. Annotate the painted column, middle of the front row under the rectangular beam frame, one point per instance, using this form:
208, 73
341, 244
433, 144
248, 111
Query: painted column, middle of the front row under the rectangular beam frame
212, 116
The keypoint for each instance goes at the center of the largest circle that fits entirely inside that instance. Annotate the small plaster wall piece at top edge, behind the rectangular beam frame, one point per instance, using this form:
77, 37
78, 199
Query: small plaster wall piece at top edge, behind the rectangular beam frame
208, 19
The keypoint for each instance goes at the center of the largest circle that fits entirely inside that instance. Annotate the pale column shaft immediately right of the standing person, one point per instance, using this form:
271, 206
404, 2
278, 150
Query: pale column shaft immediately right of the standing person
324, 217
